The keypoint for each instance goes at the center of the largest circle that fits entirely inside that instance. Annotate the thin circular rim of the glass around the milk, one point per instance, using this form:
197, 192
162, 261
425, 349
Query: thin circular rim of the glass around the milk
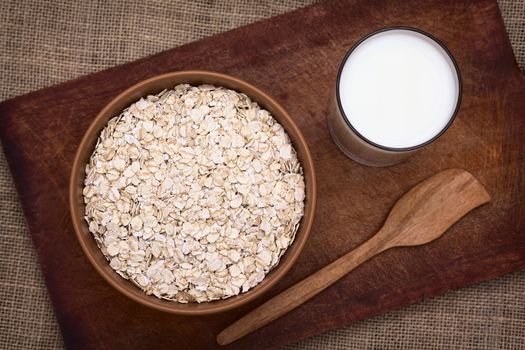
452, 117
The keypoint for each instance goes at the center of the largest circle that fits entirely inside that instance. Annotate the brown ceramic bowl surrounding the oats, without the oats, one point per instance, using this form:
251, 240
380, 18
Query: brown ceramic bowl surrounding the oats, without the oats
152, 86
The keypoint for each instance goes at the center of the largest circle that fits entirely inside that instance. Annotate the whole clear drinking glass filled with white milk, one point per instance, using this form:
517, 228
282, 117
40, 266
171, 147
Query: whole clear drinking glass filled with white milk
398, 89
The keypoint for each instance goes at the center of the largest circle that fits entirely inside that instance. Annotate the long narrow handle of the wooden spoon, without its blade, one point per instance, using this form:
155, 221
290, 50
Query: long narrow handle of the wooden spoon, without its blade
300, 292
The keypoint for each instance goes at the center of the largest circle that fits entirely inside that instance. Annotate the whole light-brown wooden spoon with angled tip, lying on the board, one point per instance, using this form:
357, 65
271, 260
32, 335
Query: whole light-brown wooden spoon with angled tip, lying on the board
423, 214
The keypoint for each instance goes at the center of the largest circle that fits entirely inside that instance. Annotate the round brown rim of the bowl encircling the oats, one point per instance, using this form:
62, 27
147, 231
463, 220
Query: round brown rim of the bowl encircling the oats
205, 308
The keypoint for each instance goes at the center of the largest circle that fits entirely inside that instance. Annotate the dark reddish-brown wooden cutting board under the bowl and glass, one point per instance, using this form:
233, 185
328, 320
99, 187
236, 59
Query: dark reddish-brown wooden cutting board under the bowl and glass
295, 57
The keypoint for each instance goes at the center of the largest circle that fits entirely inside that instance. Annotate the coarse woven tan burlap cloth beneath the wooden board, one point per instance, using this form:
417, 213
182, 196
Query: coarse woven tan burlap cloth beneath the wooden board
43, 43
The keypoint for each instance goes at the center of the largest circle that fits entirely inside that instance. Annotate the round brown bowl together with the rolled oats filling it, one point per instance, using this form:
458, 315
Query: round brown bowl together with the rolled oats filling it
192, 192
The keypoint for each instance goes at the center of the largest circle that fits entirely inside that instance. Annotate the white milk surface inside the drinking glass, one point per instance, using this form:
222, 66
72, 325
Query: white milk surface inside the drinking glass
399, 88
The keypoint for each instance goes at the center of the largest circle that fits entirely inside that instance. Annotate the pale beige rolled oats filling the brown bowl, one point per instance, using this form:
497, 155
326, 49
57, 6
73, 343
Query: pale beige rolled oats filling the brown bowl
194, 194
